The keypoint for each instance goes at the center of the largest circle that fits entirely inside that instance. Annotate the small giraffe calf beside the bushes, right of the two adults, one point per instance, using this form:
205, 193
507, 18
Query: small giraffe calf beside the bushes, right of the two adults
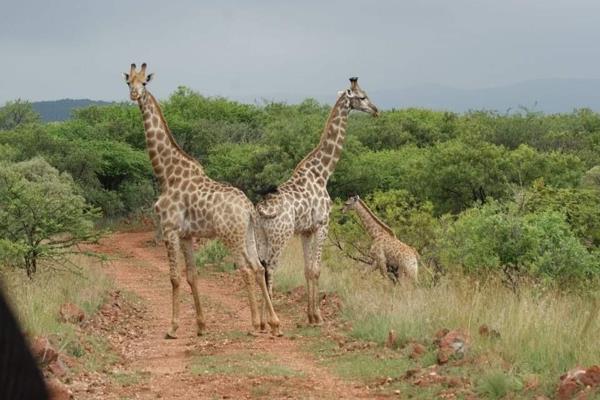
389, 254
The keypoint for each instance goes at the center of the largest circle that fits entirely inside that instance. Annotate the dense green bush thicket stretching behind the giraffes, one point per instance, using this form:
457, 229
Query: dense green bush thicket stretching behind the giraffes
512, 194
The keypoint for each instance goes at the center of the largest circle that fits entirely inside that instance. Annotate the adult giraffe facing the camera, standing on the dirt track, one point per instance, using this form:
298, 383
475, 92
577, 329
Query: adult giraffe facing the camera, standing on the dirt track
193, 205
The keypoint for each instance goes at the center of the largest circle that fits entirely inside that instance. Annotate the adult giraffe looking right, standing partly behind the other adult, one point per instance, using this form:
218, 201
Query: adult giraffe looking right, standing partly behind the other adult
301, 205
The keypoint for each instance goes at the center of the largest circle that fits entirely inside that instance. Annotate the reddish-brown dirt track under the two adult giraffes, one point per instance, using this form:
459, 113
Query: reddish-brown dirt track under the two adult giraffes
152, 367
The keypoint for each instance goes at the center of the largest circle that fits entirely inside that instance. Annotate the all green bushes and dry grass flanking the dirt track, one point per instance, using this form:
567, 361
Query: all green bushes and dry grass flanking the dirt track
504, 209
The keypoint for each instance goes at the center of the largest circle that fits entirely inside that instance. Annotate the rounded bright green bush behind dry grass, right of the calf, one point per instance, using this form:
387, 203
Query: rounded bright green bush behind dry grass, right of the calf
503, 238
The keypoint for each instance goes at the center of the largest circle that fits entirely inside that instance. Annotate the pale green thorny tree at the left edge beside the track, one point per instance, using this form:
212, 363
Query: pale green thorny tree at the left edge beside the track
41, 215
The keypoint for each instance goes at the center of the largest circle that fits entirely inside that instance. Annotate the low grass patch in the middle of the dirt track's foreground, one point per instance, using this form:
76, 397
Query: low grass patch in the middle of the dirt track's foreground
249, 364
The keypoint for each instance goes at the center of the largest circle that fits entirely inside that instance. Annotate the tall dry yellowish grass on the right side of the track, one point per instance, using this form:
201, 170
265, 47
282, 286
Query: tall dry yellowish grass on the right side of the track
541, 333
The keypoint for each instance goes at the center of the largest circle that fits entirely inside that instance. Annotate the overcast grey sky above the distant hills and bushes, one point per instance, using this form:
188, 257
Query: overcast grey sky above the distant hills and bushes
78, 48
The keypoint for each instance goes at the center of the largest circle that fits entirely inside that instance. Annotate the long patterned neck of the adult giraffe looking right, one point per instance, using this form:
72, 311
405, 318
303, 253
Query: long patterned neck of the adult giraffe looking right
323, 158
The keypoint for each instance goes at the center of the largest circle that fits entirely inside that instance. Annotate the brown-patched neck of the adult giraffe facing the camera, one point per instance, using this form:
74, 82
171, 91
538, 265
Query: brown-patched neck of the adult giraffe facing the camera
163, 150
